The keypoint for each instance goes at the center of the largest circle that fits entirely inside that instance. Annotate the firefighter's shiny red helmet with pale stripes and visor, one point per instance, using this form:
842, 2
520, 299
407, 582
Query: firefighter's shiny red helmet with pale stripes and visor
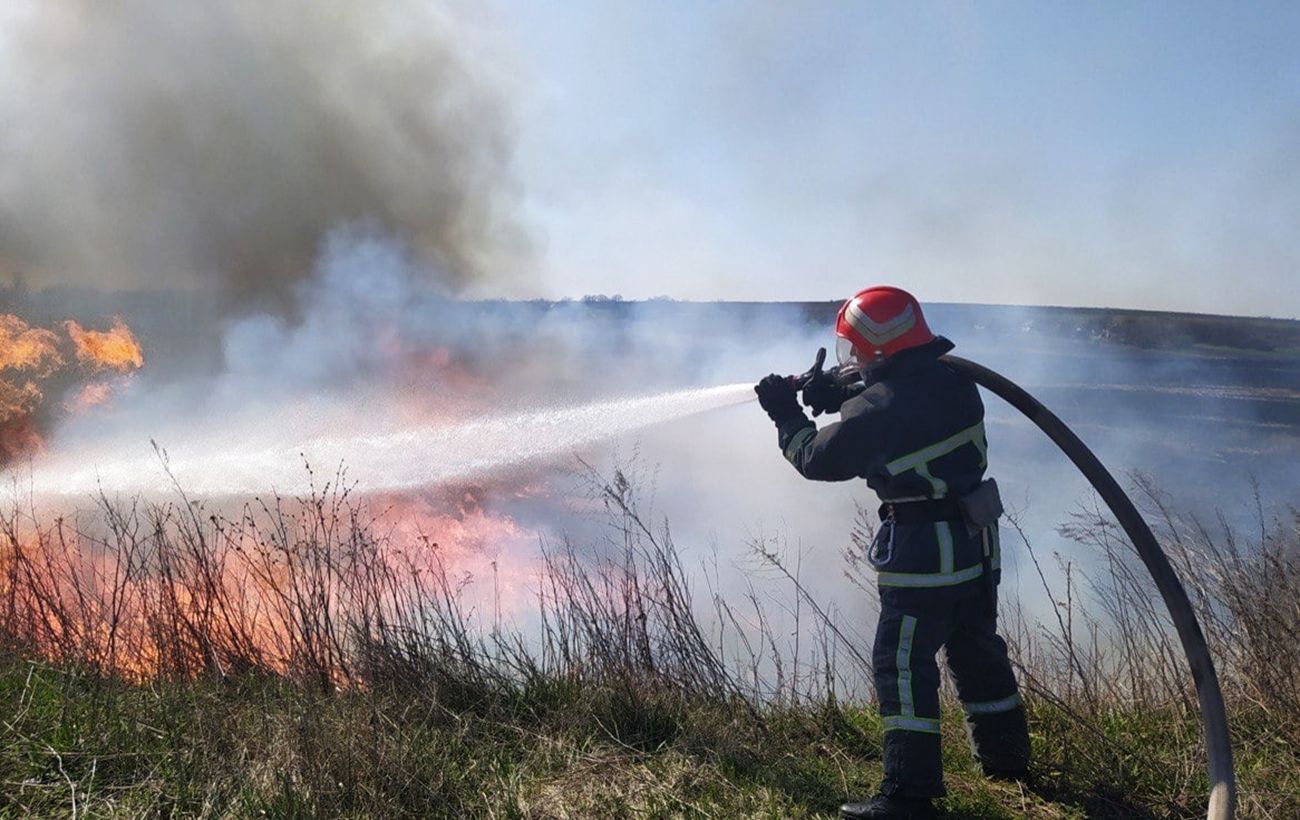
878, 323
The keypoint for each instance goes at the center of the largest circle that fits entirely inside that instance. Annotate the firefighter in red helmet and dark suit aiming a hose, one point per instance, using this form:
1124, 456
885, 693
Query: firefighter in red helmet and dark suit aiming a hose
915, 431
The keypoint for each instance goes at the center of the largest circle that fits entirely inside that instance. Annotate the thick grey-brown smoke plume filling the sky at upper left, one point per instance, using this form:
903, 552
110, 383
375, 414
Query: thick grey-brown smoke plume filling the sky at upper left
215, 145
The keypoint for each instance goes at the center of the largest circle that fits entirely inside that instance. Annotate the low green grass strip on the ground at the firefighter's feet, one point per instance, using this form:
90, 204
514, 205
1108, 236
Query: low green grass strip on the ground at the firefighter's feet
268, 748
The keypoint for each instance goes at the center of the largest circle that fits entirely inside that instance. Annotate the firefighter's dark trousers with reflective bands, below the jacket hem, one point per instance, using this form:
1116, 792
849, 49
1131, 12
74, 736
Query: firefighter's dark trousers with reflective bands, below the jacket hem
912, 631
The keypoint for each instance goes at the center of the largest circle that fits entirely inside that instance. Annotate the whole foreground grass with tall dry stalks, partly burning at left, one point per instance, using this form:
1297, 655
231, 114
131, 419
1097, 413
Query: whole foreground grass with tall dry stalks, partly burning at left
297, 658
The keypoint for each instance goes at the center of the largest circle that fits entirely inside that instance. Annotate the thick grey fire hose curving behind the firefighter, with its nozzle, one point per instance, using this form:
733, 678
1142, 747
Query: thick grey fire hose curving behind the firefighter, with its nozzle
1219, 745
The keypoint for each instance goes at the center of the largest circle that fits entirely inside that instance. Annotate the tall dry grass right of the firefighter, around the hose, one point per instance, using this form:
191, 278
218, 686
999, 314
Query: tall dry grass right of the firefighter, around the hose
1112, 691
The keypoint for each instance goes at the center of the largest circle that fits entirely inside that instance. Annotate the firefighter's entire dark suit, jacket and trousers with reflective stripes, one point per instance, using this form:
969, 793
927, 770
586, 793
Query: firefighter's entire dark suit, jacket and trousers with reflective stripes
916, 432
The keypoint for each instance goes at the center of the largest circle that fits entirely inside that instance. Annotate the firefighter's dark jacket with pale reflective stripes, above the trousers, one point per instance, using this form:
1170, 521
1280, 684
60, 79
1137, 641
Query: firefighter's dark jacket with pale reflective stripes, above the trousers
916, 432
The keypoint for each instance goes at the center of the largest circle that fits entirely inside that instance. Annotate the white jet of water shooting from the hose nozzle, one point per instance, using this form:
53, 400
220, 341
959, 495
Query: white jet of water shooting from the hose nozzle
231, 465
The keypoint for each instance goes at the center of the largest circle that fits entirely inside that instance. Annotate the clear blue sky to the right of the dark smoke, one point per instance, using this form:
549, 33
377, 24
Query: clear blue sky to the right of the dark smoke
1129, 155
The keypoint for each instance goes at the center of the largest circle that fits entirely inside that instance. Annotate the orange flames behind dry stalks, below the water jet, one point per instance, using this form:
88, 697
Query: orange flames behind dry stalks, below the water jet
294, 588
